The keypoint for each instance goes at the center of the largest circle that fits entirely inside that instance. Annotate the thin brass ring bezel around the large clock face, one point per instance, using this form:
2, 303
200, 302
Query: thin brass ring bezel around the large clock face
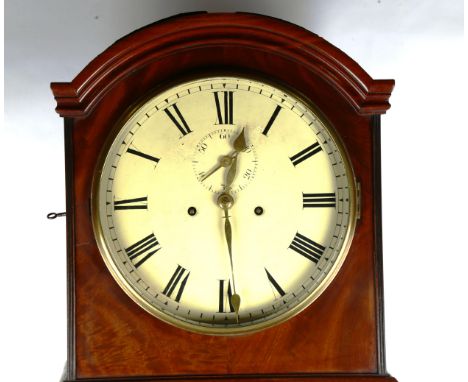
234, 330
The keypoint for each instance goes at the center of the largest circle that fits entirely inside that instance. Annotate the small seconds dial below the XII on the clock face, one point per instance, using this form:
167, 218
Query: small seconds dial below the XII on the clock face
225, 159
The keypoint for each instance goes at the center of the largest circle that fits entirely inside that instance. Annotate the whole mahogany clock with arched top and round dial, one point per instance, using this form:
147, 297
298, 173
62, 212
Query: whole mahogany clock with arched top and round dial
223, 206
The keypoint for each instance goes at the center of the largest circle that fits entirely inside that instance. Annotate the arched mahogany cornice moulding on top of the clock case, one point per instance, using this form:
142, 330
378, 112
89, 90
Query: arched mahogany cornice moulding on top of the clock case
173, 36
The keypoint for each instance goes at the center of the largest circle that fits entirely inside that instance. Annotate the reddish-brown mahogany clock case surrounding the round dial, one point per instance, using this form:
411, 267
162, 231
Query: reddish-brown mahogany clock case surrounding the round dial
340, 336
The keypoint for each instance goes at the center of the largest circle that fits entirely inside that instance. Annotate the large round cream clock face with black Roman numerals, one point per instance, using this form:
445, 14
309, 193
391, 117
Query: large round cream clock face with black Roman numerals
224, 205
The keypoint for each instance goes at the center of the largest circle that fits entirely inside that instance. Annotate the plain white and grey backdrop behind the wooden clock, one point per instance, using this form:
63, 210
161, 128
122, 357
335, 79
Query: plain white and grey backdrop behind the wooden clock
424, 144
